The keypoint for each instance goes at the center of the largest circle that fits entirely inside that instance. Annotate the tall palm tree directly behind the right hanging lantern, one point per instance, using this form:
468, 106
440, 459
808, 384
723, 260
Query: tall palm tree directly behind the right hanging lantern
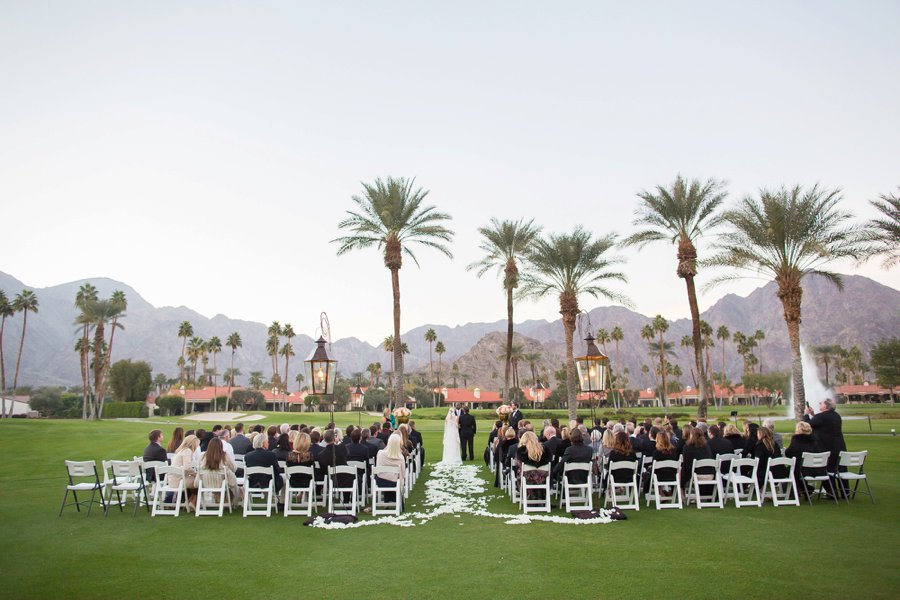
569, 265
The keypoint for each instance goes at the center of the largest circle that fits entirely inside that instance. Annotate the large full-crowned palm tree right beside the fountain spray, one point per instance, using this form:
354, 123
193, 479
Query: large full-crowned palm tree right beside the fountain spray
787, 234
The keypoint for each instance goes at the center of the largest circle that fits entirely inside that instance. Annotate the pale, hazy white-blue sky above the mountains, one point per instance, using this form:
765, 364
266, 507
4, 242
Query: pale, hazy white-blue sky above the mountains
204, 152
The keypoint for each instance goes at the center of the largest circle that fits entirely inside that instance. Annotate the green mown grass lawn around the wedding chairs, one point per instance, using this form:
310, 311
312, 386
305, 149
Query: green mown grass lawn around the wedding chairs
822, 552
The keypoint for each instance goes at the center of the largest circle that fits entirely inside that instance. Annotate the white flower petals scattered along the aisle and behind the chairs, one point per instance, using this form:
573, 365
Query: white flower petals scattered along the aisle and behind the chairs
458, 490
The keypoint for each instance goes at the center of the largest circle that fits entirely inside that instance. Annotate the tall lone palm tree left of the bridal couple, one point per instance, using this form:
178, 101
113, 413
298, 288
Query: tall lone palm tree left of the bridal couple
391, 217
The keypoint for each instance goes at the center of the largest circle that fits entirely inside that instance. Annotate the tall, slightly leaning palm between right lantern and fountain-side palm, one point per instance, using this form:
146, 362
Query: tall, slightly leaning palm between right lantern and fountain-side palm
681, 214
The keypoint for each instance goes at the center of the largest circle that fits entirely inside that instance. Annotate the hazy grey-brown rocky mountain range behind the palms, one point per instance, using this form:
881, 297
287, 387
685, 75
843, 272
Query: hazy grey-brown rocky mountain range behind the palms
865, 312
